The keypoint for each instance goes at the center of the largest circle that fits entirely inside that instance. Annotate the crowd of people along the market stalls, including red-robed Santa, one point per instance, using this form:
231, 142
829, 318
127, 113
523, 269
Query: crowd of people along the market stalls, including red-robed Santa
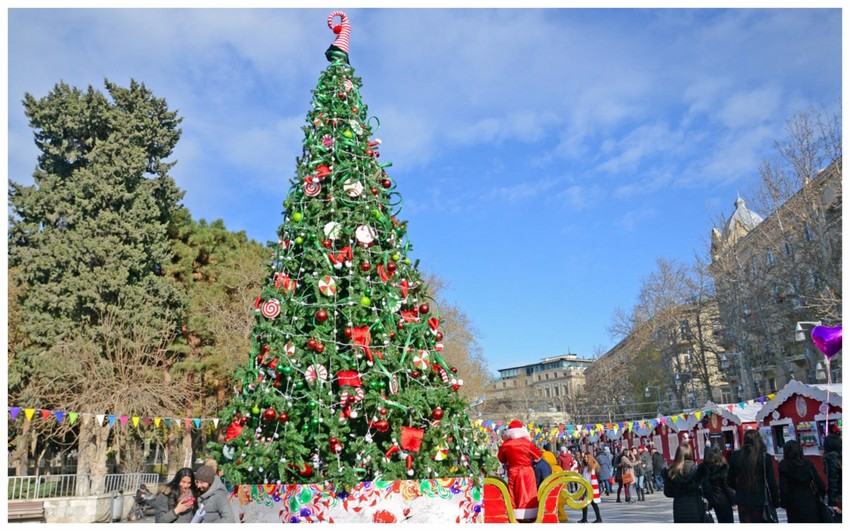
712, 489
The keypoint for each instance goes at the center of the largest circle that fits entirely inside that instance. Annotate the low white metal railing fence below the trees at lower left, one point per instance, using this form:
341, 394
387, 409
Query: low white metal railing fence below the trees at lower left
46, 486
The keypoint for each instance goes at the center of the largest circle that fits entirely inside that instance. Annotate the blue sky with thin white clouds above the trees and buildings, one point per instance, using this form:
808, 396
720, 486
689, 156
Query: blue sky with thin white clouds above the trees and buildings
546, 157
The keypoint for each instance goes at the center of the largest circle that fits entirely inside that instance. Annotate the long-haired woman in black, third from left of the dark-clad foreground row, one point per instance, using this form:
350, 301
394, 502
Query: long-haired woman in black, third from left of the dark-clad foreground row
752, 477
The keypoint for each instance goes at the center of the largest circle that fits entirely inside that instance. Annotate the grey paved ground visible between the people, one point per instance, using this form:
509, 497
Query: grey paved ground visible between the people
655, 509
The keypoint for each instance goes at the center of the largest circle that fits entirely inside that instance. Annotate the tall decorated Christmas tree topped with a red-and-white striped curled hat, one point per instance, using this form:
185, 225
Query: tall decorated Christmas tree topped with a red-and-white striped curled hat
345, 381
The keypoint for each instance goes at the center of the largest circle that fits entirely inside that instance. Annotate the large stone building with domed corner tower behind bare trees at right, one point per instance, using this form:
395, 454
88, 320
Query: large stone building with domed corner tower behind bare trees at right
772, 273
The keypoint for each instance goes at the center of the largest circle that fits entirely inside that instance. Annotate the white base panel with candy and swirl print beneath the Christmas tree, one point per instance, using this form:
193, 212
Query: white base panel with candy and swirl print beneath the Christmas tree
447, 500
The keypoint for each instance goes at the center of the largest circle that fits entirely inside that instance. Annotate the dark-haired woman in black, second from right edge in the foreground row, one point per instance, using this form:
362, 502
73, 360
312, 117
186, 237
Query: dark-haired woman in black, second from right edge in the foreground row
800, 487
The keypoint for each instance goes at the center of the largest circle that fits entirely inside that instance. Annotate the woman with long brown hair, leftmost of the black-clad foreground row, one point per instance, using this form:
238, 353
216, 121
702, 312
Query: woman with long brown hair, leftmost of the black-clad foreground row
682, 483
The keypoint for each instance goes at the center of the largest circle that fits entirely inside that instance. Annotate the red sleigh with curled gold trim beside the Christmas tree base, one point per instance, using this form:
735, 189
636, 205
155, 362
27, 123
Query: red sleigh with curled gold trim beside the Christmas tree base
553, 495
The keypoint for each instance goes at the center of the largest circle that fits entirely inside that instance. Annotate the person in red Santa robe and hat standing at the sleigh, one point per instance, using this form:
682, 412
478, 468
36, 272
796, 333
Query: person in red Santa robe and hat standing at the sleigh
517, 454
